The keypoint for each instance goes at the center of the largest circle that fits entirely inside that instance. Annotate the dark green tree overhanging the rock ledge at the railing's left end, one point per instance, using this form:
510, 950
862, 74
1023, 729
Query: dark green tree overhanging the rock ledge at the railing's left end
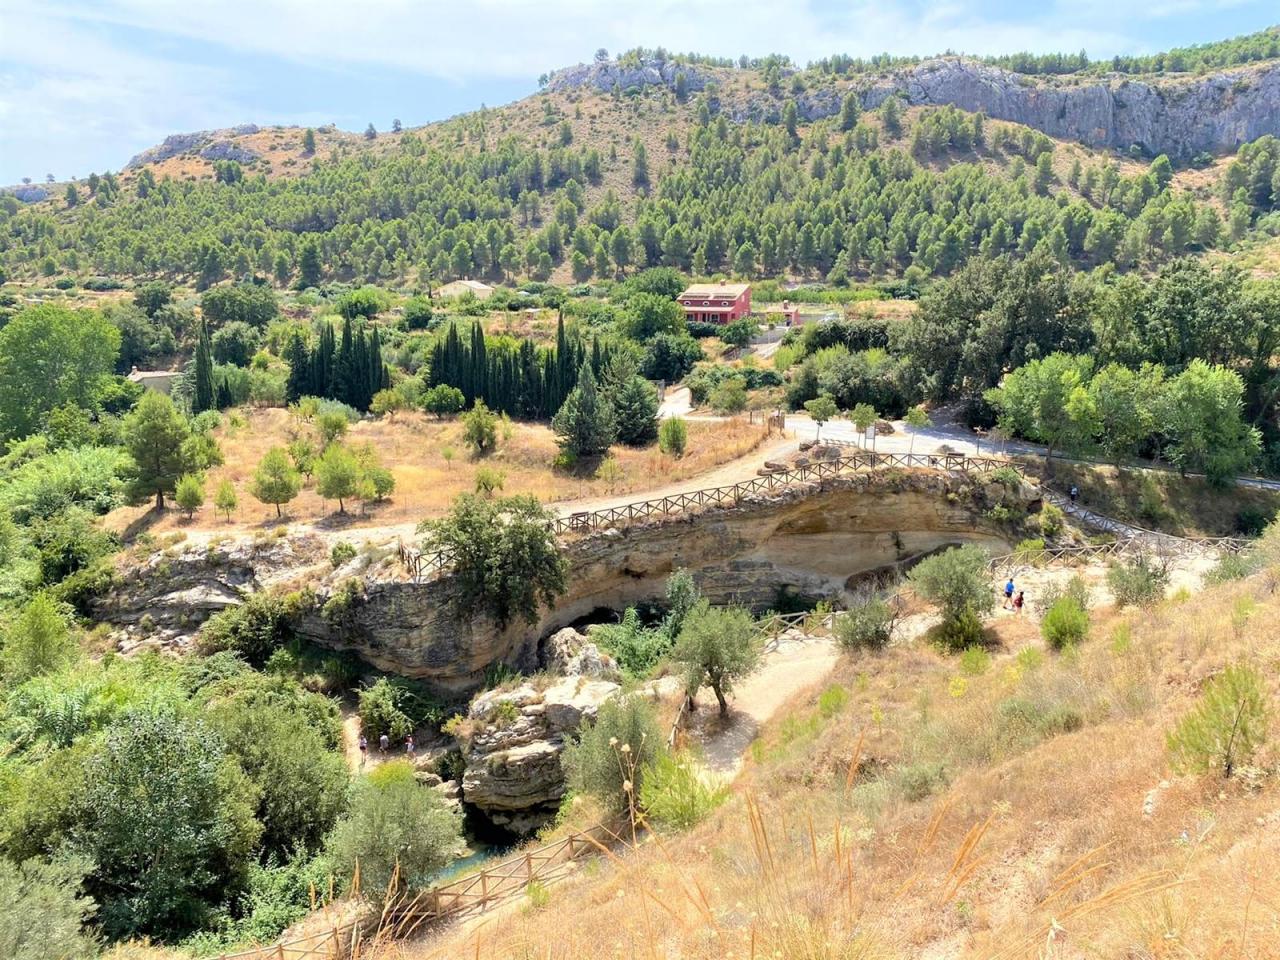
505, 555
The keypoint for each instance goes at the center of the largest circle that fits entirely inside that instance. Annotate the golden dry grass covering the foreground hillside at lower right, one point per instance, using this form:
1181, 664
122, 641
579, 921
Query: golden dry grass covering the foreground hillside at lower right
1031, 845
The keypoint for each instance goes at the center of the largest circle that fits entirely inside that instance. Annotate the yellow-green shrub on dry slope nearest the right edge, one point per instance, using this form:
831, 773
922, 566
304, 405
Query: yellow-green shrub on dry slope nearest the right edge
1227, 726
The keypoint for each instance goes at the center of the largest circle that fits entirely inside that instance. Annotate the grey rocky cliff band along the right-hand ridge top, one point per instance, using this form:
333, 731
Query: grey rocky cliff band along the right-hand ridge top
1176, 116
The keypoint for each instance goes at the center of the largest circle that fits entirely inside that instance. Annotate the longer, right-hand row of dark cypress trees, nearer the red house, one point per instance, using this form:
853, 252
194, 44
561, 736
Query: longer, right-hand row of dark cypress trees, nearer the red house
529, 383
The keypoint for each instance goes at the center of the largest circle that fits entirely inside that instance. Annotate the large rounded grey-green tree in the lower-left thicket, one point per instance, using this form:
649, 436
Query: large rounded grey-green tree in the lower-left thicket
168, 839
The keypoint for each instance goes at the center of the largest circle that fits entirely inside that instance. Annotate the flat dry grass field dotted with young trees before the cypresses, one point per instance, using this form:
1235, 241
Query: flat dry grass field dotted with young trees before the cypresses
412, 446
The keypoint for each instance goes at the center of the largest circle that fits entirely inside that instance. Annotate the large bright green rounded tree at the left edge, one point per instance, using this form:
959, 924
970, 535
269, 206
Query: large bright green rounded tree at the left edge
52, 356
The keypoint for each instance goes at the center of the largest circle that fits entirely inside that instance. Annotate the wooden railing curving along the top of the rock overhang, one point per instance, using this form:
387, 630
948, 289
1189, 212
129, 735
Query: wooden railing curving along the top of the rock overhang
426, 565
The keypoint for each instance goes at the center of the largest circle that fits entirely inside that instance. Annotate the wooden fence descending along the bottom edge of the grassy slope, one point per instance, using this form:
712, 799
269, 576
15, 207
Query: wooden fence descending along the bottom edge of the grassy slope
446, 902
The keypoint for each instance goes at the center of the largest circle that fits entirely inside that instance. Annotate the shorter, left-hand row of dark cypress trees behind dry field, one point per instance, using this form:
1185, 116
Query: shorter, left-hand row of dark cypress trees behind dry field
351, 371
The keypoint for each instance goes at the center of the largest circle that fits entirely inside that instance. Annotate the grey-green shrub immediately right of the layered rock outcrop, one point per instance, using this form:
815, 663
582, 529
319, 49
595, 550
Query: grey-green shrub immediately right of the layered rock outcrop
621, 744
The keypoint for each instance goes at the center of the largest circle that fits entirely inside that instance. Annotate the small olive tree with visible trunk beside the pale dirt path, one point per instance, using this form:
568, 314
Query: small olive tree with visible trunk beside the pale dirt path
717, 647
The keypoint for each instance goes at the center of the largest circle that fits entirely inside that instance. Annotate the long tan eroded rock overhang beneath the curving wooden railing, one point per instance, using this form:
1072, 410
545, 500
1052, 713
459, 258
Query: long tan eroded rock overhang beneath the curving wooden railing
813, 541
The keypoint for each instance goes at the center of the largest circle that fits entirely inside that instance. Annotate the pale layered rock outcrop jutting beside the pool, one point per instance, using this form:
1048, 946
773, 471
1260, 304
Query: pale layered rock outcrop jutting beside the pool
514, 755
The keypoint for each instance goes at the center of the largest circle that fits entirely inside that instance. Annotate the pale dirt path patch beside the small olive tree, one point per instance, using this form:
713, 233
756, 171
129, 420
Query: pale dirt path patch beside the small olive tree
794, 666
